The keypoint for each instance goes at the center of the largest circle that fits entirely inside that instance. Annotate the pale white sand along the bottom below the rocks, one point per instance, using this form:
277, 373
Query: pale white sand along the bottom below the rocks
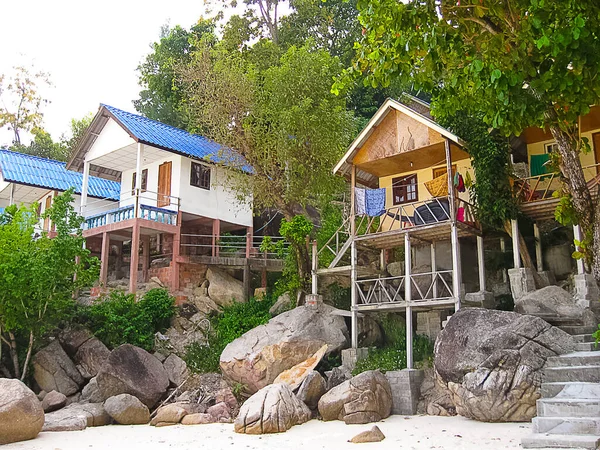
415, 432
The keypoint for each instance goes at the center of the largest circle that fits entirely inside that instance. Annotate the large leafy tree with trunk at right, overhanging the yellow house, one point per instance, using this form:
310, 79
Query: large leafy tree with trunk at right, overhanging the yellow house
521, 63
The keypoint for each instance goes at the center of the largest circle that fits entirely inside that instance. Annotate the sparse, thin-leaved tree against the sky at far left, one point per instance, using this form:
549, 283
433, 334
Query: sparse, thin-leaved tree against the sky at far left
21, 102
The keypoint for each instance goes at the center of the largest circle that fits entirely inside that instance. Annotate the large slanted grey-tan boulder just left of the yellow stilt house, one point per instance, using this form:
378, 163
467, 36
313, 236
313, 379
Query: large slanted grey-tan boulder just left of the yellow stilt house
256, 358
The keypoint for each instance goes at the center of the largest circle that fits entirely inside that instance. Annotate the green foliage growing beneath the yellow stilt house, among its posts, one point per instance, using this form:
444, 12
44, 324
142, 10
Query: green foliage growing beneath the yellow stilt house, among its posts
392, 355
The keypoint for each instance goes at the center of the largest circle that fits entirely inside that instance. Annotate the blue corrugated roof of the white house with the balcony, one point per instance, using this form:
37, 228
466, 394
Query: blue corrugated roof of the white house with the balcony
177, 140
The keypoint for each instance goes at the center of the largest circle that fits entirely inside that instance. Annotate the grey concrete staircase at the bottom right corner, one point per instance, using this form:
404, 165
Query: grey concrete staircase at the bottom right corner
569, 410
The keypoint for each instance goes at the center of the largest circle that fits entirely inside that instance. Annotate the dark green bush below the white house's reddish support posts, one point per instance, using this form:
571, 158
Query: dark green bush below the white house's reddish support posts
120, 319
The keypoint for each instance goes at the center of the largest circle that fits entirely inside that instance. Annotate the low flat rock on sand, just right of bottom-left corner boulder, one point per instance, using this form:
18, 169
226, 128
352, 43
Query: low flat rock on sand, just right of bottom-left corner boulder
77, 416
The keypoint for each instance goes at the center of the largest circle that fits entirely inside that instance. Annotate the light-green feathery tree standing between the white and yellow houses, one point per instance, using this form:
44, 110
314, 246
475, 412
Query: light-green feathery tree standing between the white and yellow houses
283, 120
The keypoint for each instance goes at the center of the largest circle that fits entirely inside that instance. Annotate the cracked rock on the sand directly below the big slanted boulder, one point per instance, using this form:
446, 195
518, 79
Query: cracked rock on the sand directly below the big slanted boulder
273, 409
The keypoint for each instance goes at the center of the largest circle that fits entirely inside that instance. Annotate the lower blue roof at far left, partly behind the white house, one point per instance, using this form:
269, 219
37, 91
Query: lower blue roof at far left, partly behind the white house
50, 174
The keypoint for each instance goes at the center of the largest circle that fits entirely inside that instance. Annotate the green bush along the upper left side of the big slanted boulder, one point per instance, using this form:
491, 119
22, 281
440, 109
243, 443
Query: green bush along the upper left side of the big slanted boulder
234, 321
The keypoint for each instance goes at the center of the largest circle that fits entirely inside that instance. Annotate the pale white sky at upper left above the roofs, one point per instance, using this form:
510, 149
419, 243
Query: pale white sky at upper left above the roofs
90, 49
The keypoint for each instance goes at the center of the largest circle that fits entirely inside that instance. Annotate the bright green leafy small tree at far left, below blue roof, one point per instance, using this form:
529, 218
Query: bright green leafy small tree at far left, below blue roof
39, 276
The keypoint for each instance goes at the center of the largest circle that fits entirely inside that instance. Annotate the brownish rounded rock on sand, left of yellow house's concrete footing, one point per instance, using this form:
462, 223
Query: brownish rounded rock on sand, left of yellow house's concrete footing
365, 398
